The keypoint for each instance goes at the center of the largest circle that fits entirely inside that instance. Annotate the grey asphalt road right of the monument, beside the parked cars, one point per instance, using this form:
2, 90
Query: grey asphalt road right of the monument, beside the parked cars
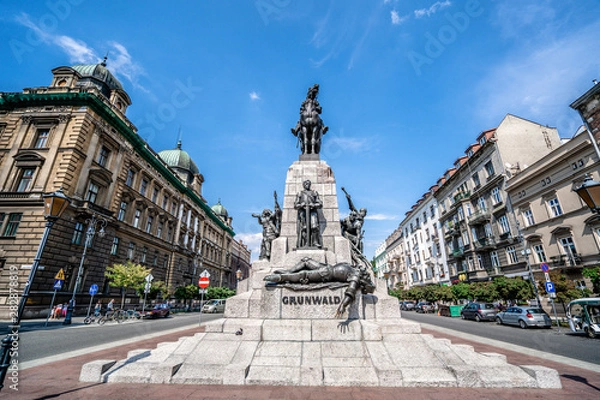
565, 343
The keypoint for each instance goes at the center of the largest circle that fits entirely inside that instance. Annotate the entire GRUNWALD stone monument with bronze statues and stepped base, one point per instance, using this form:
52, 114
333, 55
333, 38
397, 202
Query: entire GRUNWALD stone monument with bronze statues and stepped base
310, 314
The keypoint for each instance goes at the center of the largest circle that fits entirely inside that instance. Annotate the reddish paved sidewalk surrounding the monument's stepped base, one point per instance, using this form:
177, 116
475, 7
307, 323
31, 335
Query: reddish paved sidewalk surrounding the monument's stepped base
61, 380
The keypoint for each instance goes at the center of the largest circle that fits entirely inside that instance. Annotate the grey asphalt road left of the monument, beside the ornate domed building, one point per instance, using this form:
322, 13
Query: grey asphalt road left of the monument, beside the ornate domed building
56, 339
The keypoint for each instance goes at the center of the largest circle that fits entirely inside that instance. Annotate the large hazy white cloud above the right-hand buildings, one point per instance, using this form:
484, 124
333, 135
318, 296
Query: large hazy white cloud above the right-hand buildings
540, 82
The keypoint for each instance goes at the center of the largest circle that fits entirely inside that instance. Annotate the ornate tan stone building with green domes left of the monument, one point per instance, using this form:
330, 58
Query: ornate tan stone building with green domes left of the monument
74, 134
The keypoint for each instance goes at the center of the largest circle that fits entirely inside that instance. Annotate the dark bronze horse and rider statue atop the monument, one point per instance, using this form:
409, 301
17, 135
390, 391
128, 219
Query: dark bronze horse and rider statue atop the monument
310, 128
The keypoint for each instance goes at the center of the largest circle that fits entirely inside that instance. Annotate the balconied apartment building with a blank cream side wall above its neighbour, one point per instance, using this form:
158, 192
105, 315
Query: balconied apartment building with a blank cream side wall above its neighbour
479, 226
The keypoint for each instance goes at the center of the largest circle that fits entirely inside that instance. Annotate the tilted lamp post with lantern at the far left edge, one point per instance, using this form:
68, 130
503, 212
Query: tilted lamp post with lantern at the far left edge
54, 205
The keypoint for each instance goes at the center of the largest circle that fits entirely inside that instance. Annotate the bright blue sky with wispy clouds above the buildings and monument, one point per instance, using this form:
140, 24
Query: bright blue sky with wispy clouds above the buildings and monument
405, 86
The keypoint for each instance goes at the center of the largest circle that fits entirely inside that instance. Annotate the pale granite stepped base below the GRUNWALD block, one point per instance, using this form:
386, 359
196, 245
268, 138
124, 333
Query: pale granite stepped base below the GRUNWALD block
295, 352
